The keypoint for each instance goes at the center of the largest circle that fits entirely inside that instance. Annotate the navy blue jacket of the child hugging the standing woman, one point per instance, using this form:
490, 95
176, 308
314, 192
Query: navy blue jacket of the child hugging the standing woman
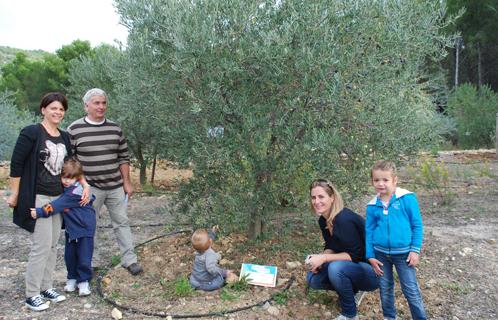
80, 221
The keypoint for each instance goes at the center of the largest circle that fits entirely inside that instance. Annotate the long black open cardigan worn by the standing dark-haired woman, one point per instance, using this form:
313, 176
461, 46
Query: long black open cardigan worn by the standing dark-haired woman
24, 164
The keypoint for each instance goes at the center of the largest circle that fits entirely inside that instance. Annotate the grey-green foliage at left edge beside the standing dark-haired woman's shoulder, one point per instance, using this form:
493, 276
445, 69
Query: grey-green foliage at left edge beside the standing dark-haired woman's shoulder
12, 120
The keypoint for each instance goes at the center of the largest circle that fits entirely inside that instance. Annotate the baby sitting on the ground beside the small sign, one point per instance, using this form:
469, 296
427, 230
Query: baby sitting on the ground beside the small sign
206, 274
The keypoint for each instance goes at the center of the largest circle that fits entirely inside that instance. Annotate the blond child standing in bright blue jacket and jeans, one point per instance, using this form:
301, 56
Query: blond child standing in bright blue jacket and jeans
394, 235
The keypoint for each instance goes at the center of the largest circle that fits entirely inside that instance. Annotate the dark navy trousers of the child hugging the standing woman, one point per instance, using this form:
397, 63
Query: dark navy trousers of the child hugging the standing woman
78, 256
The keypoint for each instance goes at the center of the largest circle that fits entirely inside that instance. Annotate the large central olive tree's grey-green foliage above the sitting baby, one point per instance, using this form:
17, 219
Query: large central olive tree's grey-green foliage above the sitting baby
296, 90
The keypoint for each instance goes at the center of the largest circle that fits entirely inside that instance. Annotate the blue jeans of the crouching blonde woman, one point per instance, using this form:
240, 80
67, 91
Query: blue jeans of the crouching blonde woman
346, 278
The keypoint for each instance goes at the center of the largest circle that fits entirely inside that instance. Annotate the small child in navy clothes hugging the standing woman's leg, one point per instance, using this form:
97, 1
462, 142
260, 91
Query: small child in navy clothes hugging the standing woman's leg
80, 224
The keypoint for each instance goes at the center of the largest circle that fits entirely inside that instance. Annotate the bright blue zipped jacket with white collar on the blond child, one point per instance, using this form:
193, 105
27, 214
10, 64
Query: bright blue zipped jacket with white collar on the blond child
397, 230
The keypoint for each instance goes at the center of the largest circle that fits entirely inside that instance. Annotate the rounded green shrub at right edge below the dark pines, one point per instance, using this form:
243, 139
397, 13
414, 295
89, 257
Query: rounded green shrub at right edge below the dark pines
475, 114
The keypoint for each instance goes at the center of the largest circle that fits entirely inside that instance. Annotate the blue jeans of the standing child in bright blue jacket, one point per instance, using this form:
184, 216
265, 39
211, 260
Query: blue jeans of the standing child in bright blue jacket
408, 280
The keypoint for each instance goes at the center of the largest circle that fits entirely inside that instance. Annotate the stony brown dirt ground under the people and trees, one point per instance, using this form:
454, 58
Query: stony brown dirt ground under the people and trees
458, 273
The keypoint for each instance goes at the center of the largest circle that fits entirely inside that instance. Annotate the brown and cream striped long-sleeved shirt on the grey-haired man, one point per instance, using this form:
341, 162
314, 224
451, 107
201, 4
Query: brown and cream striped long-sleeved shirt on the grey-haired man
101, 149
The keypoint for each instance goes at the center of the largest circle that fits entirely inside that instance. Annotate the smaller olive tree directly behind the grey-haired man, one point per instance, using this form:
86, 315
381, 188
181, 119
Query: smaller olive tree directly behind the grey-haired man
137, 96
